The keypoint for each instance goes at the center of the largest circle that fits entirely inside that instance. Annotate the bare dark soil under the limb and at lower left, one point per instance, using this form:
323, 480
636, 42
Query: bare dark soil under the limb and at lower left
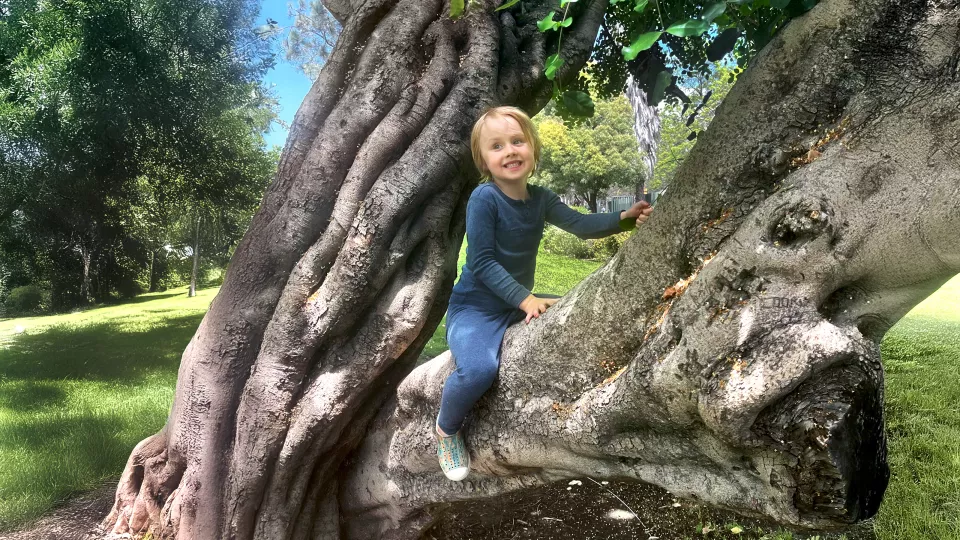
585, 511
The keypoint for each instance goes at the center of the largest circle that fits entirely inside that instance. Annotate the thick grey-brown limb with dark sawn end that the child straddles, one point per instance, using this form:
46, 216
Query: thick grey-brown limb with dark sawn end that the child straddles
750, 385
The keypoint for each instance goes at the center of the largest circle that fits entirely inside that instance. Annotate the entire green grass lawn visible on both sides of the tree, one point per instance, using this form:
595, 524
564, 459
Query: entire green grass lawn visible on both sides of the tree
78, 391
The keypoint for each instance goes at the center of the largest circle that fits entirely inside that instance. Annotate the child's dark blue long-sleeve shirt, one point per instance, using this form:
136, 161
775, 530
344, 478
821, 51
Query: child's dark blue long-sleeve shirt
503, 236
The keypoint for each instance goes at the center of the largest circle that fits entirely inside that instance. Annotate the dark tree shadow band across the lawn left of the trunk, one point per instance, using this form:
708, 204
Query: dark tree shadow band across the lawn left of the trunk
101, 351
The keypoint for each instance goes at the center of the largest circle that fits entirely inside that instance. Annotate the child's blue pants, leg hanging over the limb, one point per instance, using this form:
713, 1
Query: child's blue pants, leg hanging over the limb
474, 334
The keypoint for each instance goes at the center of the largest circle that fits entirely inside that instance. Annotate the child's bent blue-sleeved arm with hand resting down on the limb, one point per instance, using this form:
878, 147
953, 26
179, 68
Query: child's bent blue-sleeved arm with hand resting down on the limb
481, 227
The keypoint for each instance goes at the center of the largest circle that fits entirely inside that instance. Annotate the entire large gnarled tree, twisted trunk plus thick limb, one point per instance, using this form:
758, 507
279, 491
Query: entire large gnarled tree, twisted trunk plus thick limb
728, 352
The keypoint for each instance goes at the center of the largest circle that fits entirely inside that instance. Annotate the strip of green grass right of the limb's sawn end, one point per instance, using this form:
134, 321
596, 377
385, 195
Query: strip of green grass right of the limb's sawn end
921, 356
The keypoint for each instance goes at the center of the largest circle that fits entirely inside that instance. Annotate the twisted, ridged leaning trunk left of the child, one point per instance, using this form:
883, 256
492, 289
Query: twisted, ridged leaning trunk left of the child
344, 273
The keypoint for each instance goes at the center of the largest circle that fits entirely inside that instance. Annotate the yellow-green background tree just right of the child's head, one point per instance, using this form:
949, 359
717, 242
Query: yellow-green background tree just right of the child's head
589, 156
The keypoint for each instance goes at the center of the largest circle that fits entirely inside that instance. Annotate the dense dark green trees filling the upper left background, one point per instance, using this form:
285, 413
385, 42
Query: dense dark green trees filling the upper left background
113, 113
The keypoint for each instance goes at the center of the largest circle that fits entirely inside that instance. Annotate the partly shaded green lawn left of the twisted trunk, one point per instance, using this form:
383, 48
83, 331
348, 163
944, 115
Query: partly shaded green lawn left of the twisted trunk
79, 391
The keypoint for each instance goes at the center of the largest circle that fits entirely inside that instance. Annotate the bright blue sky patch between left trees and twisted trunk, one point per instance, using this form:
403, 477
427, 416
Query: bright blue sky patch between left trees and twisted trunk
289, 84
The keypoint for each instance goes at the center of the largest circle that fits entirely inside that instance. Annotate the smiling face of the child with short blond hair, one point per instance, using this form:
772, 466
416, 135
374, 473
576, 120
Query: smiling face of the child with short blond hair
505, 149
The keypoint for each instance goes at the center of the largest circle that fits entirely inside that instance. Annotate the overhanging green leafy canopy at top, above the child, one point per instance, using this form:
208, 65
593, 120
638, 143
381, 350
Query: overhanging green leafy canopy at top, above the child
659, 42
